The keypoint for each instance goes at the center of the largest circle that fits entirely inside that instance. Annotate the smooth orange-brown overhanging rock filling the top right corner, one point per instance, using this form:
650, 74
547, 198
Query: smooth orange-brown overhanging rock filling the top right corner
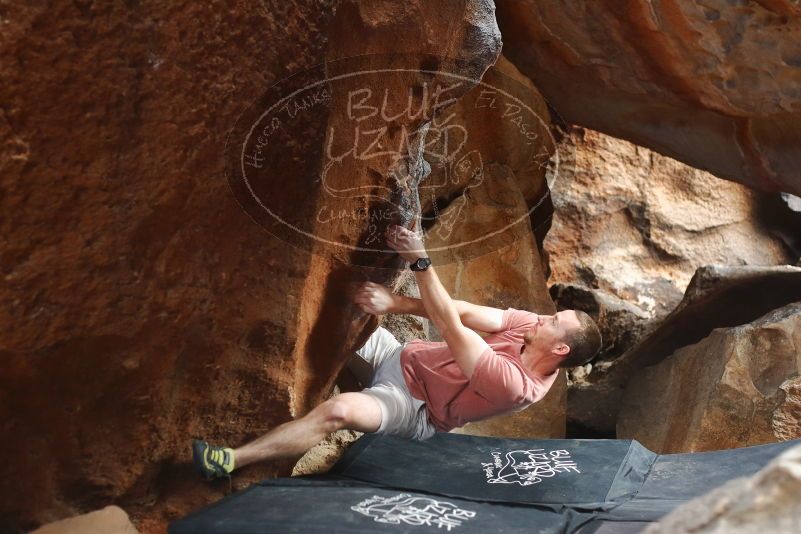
714, 84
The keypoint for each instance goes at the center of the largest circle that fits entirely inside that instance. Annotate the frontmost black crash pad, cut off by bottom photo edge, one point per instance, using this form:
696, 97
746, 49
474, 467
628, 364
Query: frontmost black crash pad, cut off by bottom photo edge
326, 506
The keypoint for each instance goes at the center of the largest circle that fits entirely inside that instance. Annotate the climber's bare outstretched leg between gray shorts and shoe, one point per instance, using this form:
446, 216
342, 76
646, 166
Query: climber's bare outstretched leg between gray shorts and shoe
353, 411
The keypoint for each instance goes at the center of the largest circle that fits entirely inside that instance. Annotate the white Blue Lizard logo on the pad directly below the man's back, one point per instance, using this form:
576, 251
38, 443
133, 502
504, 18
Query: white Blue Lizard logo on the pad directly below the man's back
527, 467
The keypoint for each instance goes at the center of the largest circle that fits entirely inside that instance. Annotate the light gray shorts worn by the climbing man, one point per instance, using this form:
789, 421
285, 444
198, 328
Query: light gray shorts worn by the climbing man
401, 414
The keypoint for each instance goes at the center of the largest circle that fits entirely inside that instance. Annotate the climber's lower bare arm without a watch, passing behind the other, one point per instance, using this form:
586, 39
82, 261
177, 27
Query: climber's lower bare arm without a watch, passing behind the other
378, 300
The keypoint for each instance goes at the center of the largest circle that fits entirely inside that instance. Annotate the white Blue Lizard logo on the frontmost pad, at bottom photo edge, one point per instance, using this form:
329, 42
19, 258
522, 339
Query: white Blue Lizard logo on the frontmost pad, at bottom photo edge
416, 511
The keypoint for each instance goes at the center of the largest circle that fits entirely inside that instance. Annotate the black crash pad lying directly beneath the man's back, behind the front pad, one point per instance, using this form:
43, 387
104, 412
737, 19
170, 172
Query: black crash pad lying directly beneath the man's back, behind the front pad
593, 474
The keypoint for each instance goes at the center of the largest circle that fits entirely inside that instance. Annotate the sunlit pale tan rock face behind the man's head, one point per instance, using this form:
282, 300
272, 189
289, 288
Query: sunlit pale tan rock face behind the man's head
661, 220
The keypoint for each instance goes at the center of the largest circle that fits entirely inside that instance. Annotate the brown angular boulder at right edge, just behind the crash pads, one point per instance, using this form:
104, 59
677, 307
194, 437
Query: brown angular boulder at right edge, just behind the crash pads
735, 388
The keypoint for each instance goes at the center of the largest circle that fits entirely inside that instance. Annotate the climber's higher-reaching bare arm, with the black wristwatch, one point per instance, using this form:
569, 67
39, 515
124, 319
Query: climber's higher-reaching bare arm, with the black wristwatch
466, 346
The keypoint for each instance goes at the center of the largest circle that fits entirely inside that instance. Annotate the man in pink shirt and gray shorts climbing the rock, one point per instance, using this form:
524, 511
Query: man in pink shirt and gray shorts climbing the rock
423, 387
